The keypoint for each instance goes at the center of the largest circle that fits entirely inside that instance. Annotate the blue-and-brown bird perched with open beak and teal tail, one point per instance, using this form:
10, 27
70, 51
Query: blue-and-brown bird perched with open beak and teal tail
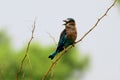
67, 37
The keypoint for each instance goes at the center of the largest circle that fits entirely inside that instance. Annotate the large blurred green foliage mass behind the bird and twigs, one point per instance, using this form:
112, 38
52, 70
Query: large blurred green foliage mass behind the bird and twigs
10, 60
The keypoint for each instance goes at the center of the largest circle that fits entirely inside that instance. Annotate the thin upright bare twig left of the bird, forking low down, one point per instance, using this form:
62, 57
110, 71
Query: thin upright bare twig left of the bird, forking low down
26, 53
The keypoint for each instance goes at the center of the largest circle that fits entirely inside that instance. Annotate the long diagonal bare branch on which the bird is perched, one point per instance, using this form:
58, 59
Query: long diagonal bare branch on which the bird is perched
64, 51
